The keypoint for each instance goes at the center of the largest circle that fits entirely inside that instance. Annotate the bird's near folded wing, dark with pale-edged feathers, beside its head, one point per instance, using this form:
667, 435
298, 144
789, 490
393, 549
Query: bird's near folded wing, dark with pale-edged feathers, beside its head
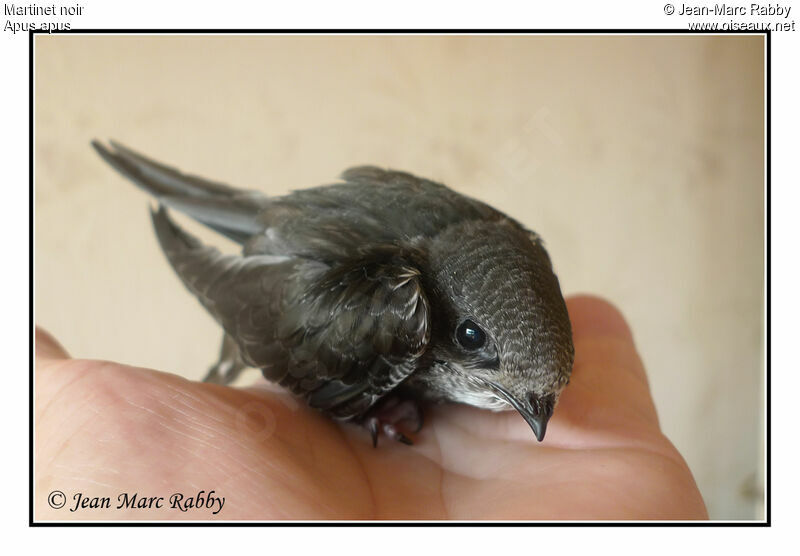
341, 336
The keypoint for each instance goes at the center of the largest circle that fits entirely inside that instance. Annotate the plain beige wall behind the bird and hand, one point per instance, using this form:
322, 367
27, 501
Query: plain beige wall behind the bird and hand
638, 159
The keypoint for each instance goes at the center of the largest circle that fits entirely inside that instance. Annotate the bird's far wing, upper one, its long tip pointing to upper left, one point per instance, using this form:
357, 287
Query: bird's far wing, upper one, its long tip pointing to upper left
326, 223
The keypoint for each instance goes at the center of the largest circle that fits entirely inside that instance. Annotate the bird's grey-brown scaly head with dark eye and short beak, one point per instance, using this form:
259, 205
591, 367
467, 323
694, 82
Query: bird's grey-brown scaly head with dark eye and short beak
502, 336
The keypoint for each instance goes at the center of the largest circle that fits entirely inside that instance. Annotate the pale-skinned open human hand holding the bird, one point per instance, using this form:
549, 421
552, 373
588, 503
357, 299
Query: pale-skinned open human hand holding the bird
103, 428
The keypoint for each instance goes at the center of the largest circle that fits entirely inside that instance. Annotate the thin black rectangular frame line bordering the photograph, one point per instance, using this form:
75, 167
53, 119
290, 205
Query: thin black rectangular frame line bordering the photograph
416, 31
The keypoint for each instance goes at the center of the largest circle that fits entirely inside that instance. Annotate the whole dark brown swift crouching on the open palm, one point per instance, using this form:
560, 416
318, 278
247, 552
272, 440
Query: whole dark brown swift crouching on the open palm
370, 297
